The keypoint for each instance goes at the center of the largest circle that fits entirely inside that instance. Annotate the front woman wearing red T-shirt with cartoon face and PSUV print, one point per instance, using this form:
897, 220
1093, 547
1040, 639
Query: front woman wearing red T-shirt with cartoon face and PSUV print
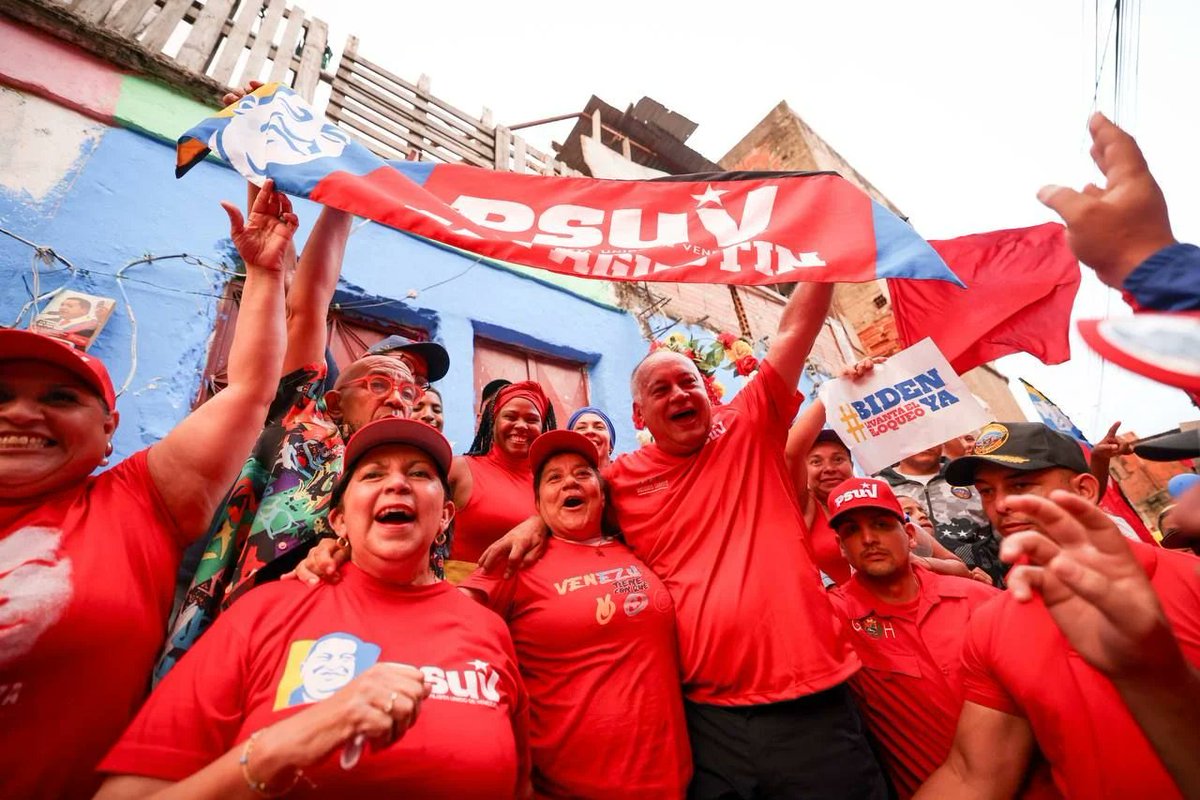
322, 688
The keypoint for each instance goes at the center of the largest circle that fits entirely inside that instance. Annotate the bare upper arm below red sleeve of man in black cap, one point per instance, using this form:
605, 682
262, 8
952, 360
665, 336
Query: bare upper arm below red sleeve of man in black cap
988, 760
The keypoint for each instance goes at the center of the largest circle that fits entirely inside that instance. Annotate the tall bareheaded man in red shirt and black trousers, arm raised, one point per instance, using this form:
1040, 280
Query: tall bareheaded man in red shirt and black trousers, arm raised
710, 507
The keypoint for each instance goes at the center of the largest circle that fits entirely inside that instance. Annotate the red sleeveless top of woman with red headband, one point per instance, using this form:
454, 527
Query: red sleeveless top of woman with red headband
501, 497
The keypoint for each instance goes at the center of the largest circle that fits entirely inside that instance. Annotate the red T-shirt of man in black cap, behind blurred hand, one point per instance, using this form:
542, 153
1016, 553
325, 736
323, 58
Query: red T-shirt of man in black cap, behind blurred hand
1017, 661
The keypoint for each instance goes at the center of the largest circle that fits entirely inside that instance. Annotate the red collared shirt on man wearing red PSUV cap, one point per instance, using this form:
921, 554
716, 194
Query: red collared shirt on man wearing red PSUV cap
910, 687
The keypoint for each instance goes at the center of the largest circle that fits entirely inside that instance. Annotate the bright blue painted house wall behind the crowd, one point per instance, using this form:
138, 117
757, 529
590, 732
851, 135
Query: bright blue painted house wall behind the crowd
121, 202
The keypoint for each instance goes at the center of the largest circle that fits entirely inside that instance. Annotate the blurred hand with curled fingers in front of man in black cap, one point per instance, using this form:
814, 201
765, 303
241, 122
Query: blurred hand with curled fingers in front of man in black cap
1093, 586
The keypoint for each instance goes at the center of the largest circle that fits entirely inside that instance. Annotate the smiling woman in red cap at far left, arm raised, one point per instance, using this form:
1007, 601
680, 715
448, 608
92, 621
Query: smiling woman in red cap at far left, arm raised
88, 561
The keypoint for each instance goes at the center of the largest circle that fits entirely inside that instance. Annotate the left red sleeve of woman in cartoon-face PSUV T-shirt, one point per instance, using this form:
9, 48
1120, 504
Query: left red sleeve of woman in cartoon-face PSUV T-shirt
195, 714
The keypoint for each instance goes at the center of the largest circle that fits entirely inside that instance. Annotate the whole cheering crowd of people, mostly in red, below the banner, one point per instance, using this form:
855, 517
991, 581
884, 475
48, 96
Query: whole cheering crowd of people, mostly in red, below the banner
727, 612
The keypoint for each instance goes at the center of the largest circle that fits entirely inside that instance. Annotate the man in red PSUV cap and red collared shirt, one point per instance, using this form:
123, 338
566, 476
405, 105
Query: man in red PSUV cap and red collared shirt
908, 625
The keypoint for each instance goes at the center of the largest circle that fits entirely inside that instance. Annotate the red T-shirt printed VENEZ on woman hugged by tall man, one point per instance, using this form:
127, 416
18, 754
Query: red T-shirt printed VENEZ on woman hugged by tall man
595, 633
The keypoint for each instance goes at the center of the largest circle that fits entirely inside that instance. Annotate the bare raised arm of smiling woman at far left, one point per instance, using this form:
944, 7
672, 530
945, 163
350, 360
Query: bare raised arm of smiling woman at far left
197, 462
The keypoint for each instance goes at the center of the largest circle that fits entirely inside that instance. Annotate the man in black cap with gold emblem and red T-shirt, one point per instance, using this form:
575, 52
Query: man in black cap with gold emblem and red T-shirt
1024, 679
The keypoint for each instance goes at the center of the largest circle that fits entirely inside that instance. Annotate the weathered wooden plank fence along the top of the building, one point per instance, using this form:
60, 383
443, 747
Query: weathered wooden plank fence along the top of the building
211, 46
